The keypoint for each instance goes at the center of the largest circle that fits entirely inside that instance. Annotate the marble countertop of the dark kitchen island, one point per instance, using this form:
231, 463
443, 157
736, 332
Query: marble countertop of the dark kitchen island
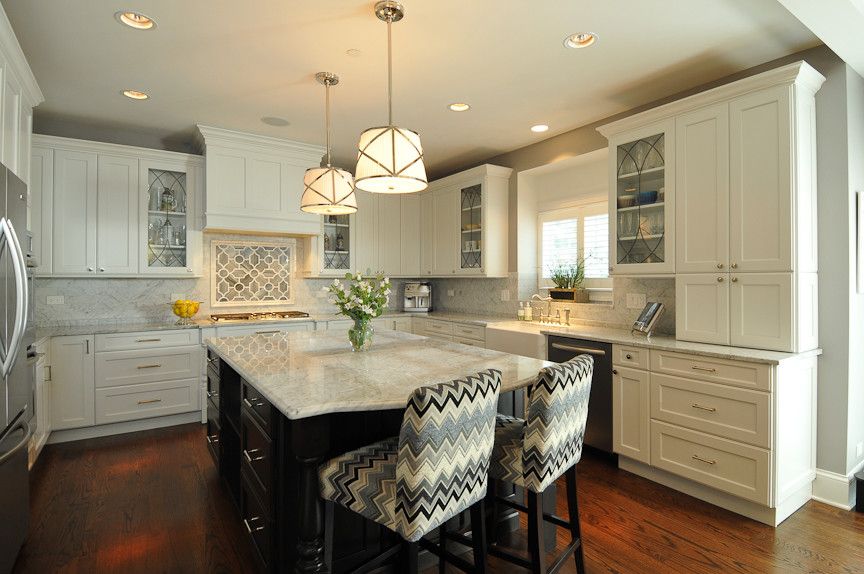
304, 374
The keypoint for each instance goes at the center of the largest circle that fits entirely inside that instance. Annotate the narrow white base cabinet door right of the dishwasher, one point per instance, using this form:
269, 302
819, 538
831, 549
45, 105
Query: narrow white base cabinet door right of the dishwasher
631, 429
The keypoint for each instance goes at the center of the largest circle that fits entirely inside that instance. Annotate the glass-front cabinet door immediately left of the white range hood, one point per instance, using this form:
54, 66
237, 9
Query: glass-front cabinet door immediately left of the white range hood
170, 238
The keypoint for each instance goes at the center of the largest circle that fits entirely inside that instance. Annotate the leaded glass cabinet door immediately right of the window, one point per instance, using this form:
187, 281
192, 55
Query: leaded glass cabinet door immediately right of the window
642, 198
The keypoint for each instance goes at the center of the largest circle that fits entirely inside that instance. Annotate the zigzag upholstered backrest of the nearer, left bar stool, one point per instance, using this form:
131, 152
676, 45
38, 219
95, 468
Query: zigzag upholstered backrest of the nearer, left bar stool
445, 444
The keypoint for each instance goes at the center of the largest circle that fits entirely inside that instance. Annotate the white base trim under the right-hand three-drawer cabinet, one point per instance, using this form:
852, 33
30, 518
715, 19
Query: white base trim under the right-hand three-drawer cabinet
758, 512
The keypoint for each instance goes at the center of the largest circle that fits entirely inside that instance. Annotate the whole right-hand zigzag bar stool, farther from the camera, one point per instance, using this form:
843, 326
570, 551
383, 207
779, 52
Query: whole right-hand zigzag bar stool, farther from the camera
534, 452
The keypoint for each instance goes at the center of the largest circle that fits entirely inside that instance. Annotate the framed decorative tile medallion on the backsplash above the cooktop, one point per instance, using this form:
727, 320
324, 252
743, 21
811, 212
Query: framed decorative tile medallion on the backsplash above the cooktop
246, 272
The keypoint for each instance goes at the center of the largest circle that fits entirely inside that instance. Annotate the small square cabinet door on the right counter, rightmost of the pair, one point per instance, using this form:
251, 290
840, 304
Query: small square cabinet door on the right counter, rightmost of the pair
762, 310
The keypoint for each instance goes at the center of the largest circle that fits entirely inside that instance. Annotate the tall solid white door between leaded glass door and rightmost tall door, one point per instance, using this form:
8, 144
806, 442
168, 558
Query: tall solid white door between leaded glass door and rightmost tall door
702, 185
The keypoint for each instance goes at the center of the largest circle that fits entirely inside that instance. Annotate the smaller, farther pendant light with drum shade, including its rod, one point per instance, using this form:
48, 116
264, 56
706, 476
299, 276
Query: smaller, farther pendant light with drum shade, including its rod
328, 190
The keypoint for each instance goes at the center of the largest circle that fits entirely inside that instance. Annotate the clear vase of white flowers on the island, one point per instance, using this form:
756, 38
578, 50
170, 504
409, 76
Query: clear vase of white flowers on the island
361, 300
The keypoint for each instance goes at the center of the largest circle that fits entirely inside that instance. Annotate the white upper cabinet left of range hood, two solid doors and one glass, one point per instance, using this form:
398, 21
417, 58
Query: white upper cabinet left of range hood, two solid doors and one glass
109, 210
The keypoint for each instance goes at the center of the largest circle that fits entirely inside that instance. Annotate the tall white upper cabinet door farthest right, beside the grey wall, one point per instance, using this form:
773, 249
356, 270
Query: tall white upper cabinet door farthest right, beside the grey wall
760, 182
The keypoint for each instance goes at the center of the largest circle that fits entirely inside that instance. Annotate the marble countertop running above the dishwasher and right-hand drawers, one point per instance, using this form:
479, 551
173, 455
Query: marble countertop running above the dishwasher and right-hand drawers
662, 342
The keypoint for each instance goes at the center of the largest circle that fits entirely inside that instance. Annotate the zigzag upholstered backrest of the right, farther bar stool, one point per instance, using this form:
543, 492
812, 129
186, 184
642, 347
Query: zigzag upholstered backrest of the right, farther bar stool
556, 411
